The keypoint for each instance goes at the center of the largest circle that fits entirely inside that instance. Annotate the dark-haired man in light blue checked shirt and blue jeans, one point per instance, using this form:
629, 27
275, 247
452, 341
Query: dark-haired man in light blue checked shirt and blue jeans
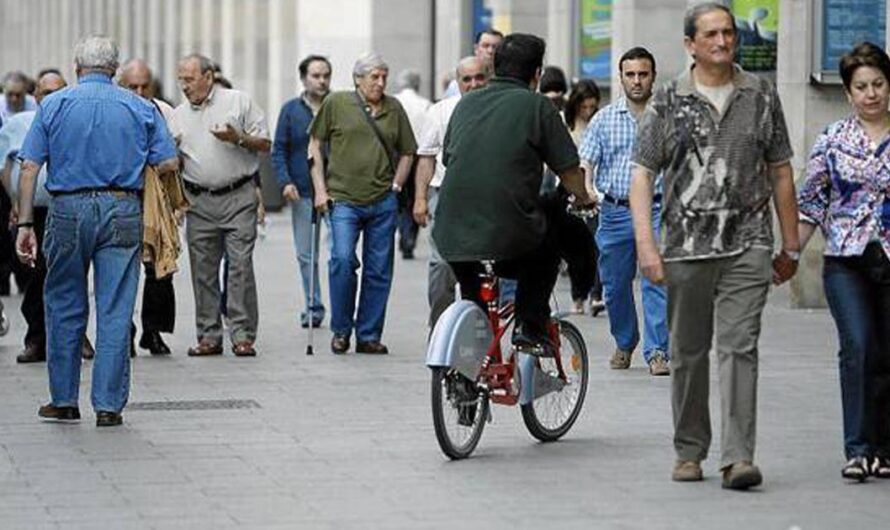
606, 149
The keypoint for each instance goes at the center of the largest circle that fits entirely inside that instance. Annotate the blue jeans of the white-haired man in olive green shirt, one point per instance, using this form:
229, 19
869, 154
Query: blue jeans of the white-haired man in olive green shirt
376, 223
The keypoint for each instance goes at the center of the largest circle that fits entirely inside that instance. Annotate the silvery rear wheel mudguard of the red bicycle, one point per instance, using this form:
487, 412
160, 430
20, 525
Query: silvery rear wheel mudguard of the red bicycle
460, 339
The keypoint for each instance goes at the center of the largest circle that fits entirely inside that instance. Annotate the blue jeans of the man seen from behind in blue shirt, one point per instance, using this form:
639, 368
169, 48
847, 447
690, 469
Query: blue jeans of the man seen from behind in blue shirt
103, 229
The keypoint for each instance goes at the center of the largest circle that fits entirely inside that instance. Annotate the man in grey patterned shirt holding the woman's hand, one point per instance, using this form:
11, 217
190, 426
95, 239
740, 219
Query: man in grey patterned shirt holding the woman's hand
719, 136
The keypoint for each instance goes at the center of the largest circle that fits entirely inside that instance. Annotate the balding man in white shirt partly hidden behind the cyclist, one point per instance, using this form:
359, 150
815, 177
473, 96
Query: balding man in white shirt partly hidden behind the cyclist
472, 73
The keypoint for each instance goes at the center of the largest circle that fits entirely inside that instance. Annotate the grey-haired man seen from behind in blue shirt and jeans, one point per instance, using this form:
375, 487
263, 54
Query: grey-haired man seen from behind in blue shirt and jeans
96, 139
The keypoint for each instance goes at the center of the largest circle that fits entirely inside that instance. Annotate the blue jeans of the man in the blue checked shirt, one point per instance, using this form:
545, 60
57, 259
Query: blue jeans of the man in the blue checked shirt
617, 268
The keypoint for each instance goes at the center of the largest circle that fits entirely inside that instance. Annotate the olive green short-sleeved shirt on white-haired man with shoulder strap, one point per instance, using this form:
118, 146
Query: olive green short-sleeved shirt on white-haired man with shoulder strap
358, 169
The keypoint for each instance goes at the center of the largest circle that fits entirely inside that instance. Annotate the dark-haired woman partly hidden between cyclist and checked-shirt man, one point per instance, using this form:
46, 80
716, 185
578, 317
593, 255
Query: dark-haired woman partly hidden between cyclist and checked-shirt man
580, 108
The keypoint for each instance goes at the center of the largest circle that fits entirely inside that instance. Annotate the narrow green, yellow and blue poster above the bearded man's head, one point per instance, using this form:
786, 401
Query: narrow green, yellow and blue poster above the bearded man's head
595, 59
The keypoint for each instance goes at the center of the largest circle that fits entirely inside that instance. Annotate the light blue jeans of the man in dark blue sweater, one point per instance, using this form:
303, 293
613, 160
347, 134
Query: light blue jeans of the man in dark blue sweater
301, 222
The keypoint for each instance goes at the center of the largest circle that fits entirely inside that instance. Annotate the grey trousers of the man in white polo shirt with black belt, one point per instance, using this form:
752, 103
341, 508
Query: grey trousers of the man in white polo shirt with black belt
218, 225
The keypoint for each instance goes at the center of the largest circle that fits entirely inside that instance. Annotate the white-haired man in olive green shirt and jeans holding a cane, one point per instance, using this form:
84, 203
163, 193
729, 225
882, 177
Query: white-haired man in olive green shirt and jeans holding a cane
363, 128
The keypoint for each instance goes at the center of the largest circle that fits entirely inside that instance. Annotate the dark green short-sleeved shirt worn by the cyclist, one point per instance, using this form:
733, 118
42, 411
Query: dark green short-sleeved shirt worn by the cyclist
498, 140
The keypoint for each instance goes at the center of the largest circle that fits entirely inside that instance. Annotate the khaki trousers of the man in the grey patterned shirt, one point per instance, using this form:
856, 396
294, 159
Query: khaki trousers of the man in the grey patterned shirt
729, 292
